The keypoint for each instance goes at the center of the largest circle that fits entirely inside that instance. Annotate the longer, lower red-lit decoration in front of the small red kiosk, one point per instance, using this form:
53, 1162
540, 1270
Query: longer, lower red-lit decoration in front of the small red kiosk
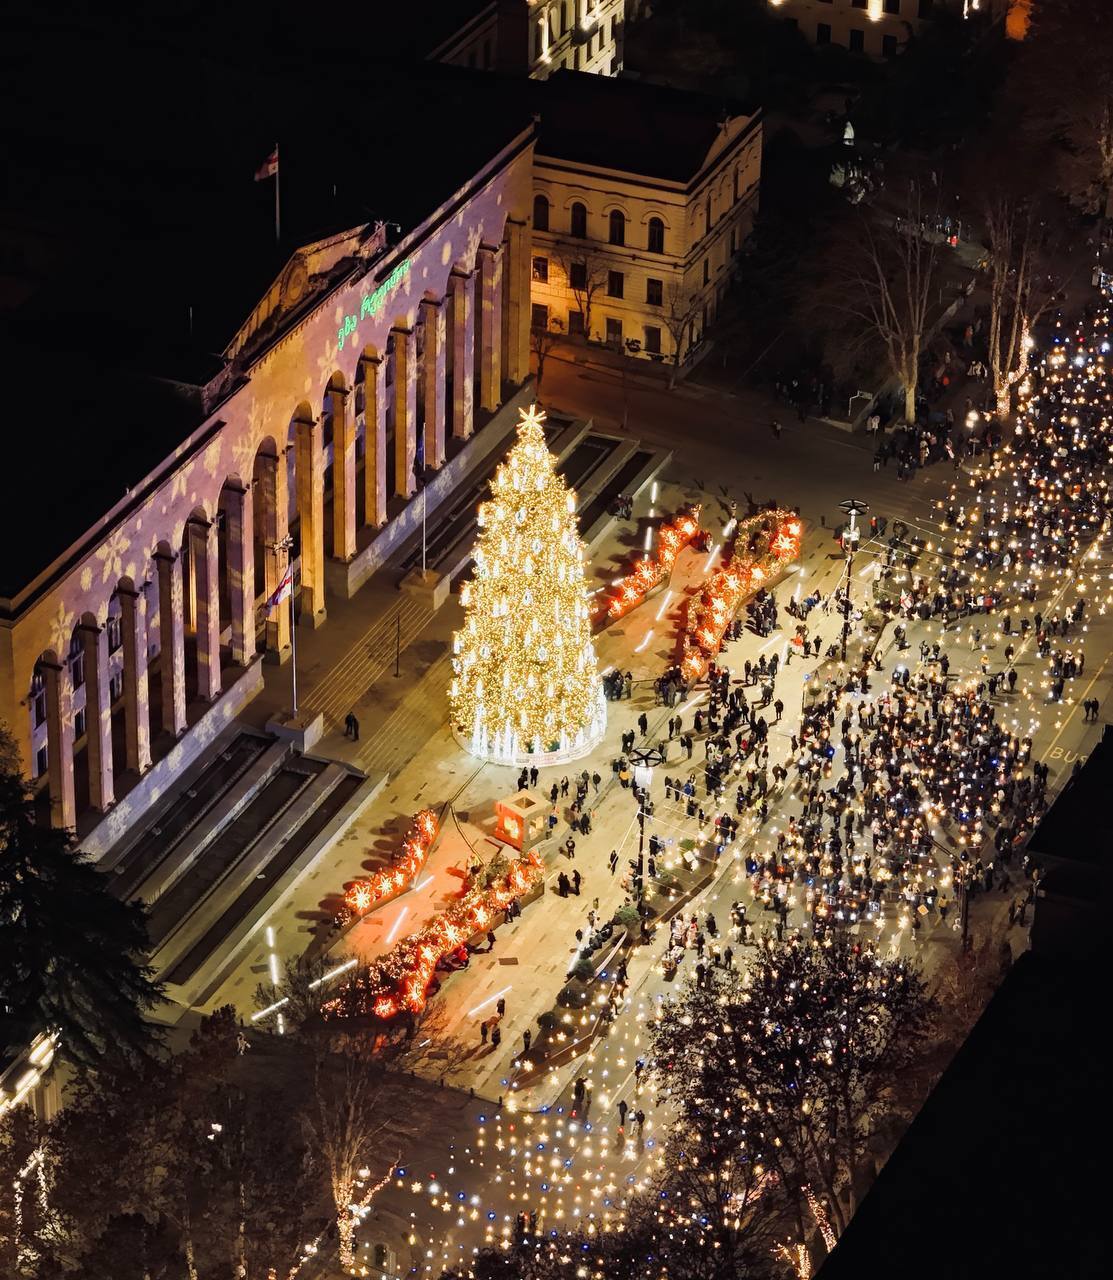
400, 982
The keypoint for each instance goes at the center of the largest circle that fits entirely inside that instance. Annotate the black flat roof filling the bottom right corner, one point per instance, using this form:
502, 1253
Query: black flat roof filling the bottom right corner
1004, 1171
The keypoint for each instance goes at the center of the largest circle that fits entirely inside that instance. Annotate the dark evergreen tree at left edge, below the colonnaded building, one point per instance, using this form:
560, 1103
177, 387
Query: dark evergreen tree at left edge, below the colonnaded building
72, 957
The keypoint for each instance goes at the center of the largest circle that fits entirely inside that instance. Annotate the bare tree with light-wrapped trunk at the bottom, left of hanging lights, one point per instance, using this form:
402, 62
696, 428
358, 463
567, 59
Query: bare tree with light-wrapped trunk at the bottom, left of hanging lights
352, 1117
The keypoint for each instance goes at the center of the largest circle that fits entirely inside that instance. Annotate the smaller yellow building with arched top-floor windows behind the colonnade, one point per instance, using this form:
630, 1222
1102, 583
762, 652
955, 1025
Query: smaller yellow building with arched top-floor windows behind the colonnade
639, 254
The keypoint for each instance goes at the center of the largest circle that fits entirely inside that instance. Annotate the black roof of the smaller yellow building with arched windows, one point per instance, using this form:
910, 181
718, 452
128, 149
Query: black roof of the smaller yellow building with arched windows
629, 125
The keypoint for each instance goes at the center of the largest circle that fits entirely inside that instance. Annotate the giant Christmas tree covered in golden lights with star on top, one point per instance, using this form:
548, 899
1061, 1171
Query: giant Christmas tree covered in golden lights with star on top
526, 684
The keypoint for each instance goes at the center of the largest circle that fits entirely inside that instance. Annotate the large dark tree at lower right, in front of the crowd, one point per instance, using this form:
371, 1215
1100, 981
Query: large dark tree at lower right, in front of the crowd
790, 1064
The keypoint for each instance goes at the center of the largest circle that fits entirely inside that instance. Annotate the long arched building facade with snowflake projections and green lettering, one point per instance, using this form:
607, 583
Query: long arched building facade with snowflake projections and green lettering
364, 364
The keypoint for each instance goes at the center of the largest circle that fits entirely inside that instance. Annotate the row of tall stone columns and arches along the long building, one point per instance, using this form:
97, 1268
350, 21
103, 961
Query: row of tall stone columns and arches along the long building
473, 339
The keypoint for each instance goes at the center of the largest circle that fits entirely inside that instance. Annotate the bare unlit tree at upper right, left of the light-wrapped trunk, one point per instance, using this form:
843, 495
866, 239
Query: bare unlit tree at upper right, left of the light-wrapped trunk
882, 281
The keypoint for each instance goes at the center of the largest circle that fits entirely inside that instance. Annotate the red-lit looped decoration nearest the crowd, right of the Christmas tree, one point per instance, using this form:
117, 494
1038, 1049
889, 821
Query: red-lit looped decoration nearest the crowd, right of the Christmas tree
711, 612
